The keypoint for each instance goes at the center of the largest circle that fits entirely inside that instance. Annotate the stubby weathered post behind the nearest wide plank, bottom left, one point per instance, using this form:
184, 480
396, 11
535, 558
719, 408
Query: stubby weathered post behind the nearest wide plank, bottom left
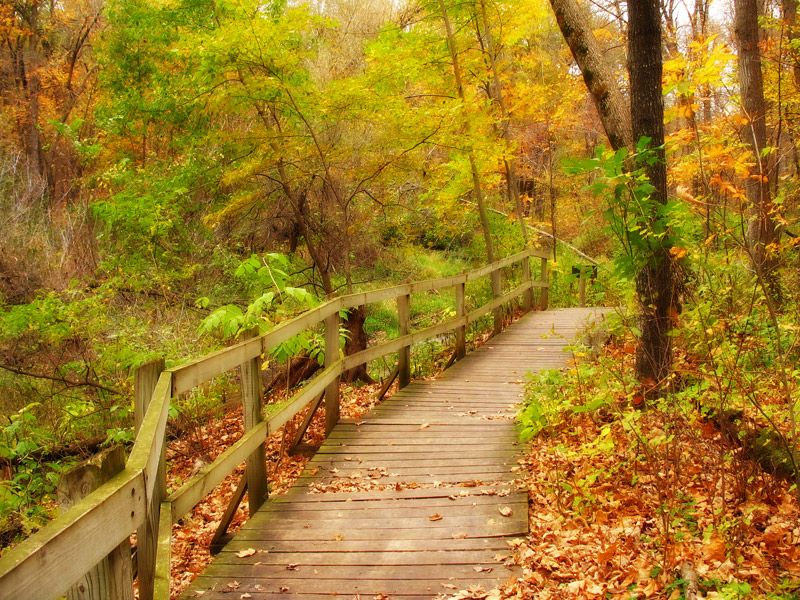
111, 578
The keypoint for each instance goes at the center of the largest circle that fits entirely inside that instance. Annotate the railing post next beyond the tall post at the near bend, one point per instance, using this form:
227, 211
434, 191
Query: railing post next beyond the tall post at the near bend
252, 412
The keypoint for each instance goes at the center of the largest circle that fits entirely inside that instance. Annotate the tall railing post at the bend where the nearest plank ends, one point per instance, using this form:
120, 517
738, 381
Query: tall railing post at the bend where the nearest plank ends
144, 383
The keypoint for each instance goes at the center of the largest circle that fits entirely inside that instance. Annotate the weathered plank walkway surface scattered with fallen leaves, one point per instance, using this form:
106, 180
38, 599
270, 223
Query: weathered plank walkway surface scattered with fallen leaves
415, 500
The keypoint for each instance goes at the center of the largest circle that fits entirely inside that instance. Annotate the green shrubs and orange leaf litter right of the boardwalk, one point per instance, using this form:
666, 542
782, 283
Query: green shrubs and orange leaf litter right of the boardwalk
632, 493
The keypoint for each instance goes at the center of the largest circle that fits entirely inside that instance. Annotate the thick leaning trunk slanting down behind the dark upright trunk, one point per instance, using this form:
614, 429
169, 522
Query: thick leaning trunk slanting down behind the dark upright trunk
597, 74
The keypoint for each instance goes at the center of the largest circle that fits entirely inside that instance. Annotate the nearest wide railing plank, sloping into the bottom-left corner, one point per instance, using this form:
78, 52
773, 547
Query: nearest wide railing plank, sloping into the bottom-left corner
46, 564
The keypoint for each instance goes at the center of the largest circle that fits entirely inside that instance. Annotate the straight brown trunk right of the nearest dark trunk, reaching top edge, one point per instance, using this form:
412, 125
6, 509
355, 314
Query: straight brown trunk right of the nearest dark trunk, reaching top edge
761, 227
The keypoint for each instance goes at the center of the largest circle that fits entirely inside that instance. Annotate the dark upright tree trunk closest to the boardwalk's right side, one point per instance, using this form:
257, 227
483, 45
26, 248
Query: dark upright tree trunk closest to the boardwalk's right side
656, 283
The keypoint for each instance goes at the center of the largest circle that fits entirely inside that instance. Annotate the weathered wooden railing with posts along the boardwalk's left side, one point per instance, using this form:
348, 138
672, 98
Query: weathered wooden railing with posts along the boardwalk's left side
61, 554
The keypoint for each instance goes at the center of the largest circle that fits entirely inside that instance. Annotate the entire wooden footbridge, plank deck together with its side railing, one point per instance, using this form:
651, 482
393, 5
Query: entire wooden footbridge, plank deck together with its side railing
417, 499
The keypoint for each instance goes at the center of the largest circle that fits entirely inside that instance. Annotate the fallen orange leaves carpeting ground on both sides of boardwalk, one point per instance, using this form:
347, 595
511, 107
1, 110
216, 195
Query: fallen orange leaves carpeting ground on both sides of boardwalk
682, 514
